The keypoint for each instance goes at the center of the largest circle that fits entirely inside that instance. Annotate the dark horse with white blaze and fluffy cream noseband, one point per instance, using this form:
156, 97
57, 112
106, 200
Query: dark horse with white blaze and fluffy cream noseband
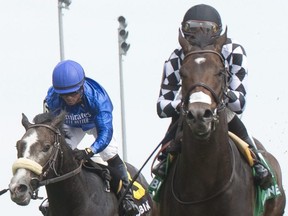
44, 158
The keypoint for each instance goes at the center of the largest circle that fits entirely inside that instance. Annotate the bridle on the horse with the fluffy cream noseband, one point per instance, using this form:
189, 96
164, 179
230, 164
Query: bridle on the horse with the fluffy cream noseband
51, 163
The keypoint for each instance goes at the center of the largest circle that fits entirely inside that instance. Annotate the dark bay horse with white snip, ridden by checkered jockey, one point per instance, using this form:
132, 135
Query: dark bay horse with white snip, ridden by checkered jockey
210, 177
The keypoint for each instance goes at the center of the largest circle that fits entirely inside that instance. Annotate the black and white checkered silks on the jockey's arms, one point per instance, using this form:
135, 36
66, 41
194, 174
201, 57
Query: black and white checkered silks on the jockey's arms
236, 60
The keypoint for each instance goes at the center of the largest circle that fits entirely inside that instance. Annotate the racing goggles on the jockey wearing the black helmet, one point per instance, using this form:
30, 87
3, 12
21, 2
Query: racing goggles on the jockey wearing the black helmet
192, 26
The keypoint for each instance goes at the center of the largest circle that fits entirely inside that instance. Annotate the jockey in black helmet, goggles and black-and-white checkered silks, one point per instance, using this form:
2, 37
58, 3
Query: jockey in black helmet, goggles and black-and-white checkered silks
168, 104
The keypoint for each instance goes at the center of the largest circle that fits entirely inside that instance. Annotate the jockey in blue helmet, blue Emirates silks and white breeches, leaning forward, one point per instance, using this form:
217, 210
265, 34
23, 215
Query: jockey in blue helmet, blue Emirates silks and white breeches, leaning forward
89, 111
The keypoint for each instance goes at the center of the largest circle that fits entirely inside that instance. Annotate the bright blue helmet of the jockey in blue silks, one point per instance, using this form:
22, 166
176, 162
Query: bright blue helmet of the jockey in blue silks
68, 77
